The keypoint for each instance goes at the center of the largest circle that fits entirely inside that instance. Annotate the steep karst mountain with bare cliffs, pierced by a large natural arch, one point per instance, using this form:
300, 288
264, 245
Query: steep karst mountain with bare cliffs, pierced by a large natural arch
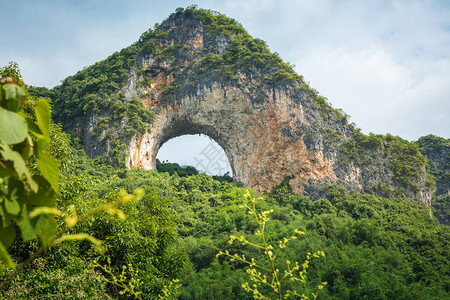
201, 72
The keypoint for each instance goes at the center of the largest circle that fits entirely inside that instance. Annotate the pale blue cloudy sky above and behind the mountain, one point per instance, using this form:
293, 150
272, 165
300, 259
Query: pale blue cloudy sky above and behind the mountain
385, 63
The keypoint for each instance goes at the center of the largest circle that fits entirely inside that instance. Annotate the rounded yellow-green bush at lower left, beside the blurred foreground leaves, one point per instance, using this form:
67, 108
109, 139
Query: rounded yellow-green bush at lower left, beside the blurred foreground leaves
142, 245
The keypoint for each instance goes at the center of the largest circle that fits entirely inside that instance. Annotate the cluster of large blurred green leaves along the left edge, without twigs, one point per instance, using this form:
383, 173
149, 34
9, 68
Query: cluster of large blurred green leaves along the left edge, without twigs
22, 191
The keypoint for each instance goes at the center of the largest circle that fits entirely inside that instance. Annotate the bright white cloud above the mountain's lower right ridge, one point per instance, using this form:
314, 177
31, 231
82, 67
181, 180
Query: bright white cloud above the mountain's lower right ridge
381, 94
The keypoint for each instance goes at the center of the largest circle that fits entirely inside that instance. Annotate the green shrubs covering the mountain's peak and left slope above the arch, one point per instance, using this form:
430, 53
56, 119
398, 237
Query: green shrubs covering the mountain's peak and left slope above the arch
161, 64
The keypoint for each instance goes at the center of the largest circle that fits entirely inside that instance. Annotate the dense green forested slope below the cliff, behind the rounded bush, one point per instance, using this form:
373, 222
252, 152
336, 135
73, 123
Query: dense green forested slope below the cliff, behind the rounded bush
373, 246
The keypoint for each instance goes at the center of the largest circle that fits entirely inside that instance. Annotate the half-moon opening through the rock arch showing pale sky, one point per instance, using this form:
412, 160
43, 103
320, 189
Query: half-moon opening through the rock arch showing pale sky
197, 150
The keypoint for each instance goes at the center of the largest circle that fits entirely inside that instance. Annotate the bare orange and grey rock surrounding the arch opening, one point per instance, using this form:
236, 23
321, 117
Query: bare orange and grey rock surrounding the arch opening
250, 133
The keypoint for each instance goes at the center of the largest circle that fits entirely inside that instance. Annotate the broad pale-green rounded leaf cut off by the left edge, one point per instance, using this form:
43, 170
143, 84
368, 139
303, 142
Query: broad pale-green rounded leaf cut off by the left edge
13, 128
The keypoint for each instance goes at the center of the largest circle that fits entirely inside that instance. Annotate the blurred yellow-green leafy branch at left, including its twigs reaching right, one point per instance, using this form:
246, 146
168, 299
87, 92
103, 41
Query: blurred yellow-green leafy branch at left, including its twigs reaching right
28, 195
